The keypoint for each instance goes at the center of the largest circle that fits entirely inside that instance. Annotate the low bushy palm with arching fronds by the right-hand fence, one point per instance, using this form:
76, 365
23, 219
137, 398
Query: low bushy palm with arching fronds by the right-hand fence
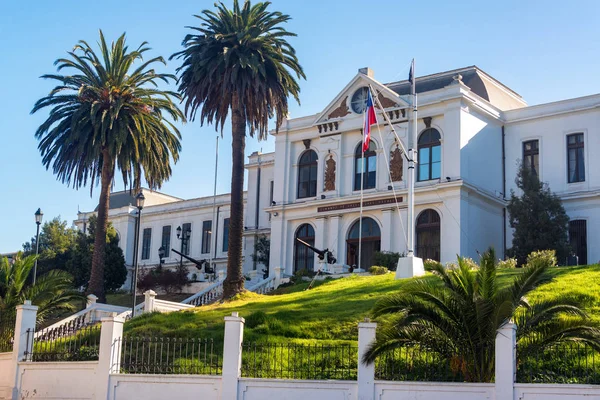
457, 316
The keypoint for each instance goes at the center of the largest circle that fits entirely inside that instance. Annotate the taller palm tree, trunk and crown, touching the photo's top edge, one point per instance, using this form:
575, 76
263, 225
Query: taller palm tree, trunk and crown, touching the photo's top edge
238, 60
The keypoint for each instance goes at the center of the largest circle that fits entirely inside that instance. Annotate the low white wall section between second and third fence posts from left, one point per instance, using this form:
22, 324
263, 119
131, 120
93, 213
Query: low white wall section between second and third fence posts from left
159, 387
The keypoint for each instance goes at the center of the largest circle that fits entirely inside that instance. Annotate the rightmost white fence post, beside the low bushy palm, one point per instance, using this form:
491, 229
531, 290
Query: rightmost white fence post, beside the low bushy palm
506, 357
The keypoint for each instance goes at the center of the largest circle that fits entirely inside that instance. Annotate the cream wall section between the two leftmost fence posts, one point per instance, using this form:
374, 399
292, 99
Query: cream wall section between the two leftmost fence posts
57, 380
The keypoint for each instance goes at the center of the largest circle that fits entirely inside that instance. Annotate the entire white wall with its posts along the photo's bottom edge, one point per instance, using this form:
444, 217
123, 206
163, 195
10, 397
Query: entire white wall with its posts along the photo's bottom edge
105, 378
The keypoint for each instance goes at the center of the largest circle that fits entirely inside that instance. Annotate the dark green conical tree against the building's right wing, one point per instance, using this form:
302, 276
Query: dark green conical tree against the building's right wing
538, 218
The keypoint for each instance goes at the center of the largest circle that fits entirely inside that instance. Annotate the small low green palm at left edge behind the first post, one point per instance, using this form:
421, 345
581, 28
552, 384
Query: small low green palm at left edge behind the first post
52, 291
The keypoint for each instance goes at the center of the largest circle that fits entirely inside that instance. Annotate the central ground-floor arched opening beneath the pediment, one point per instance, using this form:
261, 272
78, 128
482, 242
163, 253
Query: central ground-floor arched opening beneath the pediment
371, 242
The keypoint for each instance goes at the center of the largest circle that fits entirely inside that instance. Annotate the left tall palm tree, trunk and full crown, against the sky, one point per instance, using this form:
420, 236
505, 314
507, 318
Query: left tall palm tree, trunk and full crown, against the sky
109, 114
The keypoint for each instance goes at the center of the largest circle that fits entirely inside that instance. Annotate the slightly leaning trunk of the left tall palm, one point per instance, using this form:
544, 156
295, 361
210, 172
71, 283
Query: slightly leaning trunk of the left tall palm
96, 284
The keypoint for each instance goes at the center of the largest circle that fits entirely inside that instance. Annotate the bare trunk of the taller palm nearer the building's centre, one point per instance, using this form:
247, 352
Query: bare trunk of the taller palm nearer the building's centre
234, 282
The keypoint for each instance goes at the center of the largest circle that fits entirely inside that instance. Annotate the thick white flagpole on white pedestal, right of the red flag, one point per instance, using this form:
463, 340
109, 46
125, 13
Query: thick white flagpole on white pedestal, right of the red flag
412, 158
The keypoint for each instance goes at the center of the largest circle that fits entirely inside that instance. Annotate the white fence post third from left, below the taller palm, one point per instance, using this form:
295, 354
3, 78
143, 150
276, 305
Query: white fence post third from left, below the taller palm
232, 356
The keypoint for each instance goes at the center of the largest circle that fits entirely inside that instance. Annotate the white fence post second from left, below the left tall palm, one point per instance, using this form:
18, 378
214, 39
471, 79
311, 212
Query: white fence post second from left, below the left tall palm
109, 354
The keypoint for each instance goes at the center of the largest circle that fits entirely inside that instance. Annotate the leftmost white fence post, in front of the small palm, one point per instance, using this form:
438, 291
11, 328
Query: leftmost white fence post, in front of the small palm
22, 341
